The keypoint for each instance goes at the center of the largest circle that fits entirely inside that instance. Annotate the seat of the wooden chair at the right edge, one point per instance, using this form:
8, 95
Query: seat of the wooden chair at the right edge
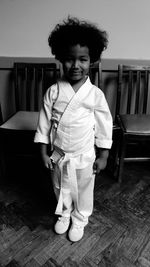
136, 124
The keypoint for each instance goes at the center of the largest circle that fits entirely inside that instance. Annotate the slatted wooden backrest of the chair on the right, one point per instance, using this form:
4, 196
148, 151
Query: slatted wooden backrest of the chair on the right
133, 89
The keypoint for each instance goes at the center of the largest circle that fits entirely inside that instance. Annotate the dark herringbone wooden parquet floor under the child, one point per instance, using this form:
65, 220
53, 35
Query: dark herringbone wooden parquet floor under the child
118, 233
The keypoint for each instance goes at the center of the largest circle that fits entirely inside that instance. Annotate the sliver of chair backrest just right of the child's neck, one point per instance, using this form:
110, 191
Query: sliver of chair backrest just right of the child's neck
95, 74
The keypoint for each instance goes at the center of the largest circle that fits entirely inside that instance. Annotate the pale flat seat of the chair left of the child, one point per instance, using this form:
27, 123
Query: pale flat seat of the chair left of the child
22, 120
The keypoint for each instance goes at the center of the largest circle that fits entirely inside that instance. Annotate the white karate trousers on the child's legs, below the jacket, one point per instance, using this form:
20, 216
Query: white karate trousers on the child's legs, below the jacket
74, 191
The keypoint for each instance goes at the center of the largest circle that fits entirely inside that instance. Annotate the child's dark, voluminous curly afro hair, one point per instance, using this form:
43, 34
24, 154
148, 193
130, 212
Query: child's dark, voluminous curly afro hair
73, 31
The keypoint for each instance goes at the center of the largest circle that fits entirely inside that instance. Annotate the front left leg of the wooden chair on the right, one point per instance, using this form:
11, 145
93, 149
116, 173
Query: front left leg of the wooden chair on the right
122, 153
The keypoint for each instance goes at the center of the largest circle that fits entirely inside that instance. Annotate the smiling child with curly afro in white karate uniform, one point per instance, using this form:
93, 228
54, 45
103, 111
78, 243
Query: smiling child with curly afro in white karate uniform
73, 119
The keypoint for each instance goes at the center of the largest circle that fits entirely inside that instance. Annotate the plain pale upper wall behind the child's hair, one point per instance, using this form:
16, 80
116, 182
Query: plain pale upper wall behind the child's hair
25, 25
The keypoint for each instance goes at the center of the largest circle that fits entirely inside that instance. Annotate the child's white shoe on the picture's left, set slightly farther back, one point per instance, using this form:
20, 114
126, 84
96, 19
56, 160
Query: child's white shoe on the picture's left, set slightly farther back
62, 225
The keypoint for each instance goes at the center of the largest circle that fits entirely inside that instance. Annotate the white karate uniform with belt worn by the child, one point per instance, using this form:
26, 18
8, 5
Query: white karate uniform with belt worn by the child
73, 122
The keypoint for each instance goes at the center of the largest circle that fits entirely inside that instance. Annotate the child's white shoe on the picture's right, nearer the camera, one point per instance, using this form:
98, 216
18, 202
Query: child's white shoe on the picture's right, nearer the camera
76, 232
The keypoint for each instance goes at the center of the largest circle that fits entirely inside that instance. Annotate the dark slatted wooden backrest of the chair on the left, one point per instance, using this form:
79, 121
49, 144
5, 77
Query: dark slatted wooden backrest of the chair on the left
31, 82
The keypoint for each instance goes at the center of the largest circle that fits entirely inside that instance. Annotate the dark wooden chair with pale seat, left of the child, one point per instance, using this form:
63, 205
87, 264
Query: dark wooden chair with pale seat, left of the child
30, 83
